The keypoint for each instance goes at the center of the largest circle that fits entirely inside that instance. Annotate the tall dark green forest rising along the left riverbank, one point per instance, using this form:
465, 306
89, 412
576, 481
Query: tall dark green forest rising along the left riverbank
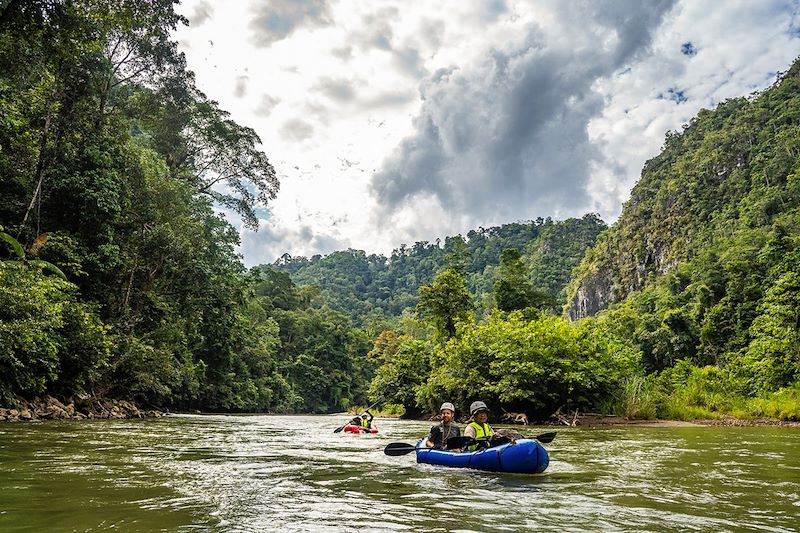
118, 279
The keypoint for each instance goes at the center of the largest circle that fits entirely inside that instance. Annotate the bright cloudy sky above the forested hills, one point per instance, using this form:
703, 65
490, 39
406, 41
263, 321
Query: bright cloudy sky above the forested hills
393, 122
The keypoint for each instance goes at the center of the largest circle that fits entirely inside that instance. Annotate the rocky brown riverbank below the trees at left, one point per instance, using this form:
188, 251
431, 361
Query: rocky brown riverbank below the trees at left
77, 408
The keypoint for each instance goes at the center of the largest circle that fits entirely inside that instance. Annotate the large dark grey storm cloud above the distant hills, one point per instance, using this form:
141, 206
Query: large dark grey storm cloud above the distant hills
506, 137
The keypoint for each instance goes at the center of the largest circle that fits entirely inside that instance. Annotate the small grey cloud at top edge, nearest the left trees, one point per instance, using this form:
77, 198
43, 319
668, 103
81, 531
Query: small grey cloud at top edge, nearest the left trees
276, 20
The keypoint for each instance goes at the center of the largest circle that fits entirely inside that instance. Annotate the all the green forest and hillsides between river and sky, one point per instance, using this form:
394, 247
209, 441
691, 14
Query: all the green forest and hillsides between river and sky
118, 278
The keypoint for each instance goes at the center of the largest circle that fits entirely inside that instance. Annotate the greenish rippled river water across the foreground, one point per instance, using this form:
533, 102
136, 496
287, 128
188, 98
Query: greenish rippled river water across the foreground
292, 473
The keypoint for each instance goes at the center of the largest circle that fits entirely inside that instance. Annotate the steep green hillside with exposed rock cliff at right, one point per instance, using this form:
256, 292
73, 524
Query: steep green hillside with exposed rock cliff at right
704, 262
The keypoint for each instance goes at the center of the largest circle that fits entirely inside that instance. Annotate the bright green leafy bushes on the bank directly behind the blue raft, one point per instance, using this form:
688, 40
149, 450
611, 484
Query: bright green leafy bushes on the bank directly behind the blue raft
537, 365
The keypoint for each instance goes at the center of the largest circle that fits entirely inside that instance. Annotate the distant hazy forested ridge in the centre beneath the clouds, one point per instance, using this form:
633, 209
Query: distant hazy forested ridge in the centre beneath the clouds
372, 288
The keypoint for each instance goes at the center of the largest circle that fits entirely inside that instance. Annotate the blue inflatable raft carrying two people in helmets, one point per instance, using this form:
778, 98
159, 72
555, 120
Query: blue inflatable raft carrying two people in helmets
526, 456
